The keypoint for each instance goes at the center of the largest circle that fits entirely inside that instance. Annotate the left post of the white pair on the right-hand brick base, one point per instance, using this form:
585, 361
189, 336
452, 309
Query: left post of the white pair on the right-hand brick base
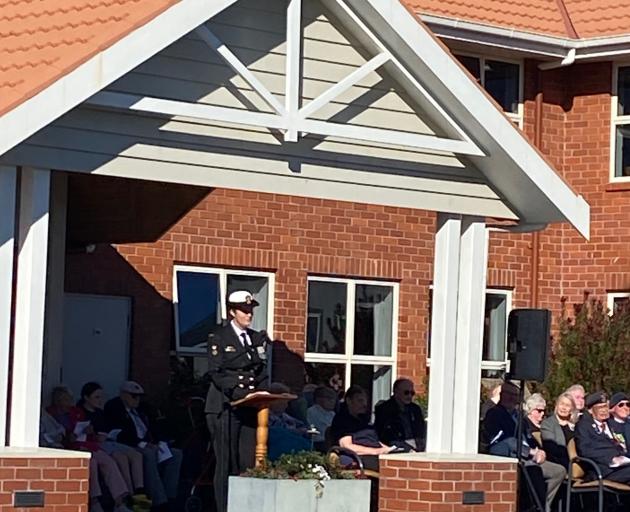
443, 333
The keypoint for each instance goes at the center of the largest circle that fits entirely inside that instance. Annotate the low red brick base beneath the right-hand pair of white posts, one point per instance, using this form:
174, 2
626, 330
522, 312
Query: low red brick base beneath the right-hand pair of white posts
422, 485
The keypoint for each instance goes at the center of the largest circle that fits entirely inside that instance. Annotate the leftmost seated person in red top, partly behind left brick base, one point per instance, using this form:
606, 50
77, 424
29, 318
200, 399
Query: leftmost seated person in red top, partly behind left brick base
66, 414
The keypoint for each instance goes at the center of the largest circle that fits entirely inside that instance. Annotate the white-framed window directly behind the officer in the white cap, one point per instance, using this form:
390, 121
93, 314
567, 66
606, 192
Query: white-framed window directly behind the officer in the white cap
199, 298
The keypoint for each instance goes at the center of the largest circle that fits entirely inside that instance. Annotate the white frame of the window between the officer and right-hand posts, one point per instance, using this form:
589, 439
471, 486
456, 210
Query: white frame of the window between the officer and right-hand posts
348, 358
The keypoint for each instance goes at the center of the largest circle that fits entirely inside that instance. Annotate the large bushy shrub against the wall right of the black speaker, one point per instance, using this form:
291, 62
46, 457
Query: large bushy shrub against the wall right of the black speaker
592, 350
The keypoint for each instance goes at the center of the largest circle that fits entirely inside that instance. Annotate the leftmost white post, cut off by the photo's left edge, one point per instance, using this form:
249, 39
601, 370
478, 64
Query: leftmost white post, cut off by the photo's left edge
8, 182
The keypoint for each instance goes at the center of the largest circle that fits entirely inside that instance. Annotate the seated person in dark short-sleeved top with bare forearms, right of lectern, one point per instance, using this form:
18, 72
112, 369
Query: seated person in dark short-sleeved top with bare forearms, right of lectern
351, 428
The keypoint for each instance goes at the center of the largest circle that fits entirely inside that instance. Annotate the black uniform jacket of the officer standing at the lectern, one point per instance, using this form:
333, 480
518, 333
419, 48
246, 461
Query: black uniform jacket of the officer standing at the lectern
234, 370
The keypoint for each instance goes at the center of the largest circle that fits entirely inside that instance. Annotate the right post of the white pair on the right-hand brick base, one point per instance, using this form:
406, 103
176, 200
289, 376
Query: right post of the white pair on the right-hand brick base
473, 262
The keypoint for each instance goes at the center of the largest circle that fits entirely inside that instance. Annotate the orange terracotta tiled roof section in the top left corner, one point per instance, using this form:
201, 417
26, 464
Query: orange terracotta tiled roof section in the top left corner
42, 40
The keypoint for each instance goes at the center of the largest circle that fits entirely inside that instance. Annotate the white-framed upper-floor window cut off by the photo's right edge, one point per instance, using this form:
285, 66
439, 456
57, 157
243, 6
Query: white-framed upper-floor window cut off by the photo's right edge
620, 126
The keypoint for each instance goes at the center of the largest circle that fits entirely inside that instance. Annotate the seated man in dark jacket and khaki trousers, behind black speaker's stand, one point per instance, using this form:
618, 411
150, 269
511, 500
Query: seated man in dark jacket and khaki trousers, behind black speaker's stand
499, 431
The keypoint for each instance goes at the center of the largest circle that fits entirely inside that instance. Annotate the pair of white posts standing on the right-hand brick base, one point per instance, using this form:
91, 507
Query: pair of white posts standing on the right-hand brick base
459, 282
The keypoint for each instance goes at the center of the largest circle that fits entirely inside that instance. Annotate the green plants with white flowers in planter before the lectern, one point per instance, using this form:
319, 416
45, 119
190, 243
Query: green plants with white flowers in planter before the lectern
302, 465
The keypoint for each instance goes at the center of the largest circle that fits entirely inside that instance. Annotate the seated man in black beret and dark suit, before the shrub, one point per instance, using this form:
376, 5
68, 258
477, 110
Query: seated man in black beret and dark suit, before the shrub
595, 440
